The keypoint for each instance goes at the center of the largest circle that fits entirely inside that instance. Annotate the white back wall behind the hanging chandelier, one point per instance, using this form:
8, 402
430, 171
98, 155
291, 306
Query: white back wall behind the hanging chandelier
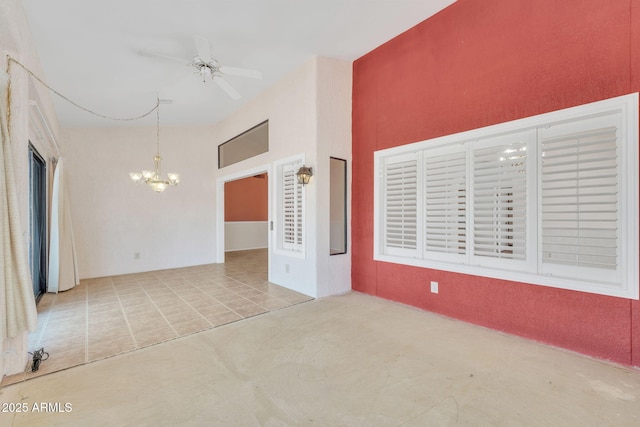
115, 220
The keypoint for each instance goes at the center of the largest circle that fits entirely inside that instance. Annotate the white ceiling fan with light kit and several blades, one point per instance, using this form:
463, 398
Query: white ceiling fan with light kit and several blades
210, 69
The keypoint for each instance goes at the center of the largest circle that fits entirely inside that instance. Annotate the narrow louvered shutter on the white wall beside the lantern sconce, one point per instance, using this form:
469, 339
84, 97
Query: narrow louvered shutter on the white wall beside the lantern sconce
292, 208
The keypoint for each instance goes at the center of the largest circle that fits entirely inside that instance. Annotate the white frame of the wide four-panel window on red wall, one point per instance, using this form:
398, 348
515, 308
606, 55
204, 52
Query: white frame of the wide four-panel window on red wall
530, 270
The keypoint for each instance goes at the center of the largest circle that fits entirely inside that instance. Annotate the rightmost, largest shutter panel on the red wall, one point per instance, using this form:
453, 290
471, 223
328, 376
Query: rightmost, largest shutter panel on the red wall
580, 199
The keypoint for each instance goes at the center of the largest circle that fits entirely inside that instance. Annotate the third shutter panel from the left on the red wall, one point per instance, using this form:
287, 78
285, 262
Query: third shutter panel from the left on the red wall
500, 198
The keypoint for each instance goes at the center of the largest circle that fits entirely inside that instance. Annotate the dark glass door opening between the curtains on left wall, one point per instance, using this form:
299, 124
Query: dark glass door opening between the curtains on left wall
38, 222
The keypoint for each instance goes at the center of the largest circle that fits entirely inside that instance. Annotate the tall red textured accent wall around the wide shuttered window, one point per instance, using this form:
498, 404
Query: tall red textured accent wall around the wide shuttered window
475, 64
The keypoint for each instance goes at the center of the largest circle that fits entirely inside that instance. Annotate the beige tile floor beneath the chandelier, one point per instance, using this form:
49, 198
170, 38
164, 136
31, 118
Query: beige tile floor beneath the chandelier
104, 317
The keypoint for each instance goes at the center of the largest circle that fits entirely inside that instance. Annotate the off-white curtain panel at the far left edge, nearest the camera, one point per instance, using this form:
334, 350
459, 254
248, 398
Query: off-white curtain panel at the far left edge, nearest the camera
18, 313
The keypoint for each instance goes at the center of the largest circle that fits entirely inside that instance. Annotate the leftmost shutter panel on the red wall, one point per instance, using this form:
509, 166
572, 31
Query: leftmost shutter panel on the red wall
400, 210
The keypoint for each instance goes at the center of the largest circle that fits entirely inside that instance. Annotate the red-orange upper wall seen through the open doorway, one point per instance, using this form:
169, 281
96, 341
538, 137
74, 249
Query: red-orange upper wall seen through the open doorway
247, 199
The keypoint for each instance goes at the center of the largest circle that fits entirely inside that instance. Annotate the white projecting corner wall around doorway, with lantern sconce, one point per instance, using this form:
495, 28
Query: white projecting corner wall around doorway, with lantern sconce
309, 113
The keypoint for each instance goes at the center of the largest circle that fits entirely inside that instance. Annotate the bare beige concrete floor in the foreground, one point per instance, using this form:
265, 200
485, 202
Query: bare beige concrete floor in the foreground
352, 360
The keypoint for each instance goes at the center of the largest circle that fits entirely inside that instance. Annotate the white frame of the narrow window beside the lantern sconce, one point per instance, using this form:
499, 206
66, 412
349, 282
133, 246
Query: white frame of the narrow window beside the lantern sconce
297, 248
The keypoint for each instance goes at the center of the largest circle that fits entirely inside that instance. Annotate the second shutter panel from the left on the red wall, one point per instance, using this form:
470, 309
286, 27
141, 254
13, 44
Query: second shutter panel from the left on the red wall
445, 213
